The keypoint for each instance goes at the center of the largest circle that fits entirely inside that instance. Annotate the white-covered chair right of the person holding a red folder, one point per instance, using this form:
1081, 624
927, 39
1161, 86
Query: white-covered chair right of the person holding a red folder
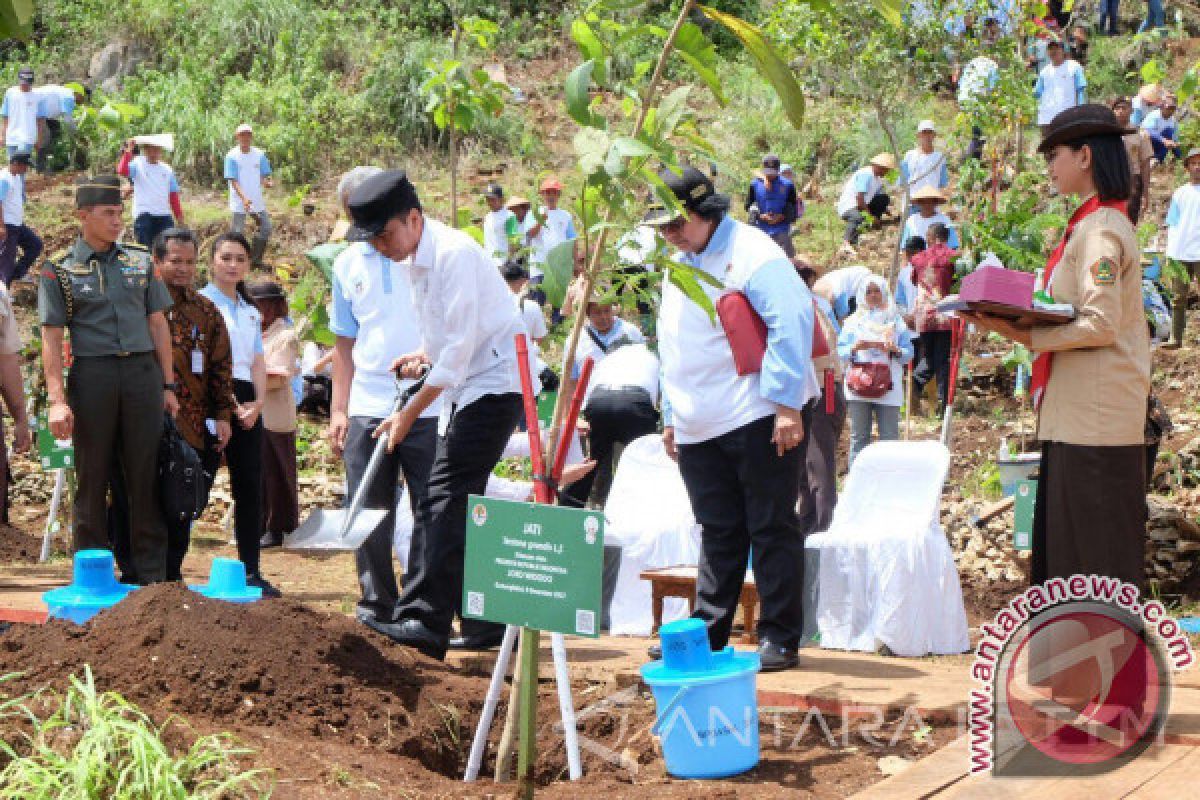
885, 573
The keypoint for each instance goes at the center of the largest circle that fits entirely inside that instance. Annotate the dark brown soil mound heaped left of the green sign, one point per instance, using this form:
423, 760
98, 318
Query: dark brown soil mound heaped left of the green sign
269, 665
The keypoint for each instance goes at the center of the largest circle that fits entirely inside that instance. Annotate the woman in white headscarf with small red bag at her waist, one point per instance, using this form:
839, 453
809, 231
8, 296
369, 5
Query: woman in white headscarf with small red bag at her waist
874, 335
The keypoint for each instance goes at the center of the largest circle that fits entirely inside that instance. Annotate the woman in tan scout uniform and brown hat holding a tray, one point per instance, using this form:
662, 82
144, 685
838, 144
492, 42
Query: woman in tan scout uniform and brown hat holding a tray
1091, 377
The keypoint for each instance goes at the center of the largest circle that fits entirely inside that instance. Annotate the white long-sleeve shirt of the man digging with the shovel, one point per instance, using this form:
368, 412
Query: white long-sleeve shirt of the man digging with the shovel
466, 317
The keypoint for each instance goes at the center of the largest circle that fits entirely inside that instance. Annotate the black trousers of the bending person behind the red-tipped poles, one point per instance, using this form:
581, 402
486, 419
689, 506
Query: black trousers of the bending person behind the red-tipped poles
617, 417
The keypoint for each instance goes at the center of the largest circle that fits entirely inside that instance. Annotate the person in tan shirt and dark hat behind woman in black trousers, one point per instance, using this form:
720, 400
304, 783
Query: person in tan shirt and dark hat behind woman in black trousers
281, 348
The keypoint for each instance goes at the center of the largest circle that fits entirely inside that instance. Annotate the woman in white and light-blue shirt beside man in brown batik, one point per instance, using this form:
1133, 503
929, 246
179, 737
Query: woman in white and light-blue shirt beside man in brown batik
244, 455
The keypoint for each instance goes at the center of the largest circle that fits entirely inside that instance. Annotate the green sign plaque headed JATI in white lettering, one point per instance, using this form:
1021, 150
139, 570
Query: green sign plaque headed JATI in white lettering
533, 566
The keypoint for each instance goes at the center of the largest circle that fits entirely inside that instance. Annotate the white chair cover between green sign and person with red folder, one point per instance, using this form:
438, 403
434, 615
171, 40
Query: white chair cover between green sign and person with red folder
650, 515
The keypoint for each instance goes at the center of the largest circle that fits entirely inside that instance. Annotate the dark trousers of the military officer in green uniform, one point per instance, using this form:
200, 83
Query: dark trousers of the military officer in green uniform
118, 412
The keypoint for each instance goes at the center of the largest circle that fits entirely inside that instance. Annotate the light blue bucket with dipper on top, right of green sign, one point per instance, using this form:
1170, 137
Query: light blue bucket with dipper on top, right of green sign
707, 705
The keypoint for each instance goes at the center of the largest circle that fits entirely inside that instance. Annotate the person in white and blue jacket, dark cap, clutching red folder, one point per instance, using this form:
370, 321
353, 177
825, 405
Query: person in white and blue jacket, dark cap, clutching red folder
740, 440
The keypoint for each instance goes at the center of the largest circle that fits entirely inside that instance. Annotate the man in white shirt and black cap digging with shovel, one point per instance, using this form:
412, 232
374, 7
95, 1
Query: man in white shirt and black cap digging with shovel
469, 327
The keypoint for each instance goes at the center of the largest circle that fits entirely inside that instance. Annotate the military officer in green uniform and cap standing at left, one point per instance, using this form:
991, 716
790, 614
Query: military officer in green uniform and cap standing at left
122, 377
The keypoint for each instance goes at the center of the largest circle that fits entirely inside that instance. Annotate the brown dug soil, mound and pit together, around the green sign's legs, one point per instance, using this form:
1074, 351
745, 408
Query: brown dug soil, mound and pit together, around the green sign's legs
337, 709
